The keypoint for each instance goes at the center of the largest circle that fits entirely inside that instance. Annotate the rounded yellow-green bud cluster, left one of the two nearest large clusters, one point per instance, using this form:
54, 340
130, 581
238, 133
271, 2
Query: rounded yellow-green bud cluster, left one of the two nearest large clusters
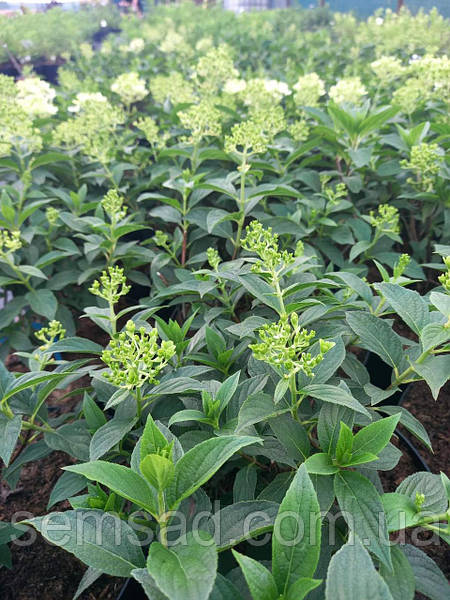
135, 358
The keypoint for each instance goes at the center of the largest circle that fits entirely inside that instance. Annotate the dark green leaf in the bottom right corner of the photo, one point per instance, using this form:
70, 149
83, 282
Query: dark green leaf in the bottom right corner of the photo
430, 581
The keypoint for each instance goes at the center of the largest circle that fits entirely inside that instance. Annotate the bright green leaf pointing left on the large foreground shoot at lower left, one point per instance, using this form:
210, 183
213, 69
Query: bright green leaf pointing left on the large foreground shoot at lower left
119, 479
